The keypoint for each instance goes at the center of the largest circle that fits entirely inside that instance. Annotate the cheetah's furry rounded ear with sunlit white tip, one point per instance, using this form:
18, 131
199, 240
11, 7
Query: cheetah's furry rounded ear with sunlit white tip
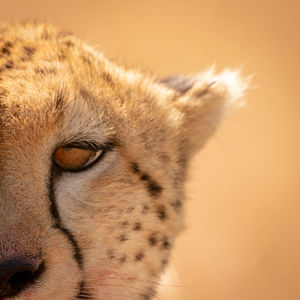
203, 100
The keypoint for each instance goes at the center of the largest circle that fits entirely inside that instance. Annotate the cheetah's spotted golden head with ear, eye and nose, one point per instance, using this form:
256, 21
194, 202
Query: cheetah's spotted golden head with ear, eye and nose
93, 160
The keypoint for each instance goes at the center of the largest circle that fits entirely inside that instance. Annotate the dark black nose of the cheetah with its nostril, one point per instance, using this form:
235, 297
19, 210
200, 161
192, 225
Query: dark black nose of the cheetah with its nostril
17, 274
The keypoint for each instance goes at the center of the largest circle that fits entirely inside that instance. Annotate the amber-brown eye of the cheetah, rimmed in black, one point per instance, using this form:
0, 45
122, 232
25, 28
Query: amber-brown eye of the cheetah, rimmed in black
75, 159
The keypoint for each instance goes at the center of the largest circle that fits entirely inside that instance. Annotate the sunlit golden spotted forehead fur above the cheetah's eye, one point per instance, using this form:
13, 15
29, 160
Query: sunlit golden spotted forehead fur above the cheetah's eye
77, 88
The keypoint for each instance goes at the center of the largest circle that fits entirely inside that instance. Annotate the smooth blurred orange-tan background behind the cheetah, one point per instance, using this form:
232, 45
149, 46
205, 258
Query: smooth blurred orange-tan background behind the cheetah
242, 236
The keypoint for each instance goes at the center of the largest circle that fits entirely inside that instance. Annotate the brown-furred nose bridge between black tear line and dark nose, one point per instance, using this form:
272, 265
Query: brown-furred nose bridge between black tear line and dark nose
24, 210
